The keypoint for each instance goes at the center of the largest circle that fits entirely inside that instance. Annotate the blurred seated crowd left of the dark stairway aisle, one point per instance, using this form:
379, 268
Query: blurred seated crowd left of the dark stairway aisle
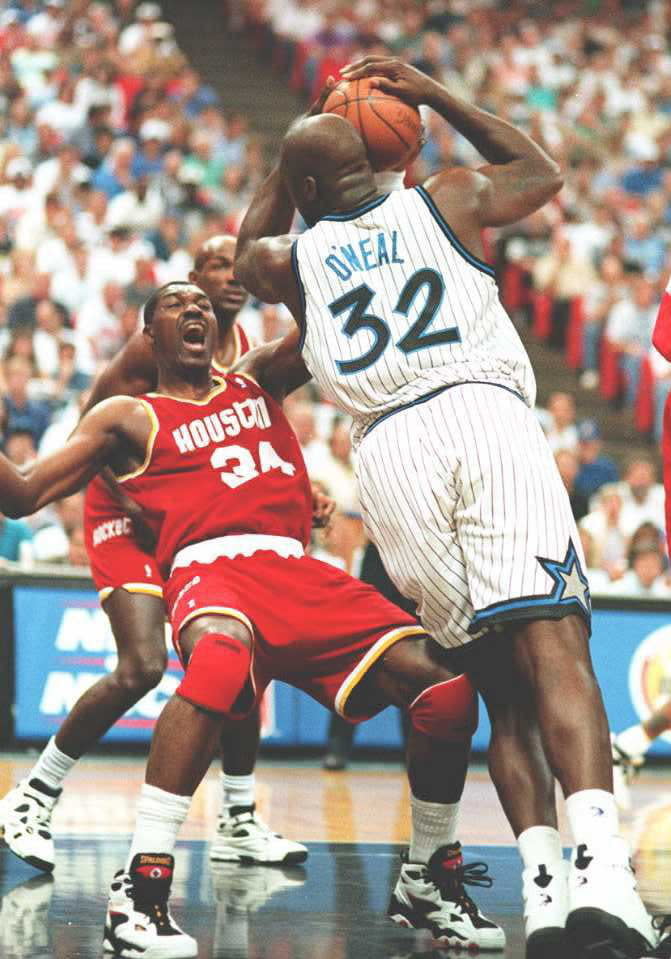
116, 162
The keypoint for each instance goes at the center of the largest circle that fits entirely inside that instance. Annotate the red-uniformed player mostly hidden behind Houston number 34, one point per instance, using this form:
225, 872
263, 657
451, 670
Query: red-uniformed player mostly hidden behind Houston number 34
130, 587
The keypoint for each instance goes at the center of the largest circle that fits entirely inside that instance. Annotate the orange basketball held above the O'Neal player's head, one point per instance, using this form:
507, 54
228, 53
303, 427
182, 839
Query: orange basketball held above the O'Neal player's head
389, 128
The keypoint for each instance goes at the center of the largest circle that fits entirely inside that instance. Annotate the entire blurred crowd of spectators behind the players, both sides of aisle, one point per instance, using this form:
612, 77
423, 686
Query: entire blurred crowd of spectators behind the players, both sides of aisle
117, 159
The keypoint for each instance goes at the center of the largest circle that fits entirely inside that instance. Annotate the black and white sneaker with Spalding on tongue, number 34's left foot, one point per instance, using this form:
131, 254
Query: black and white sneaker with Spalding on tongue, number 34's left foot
138, 922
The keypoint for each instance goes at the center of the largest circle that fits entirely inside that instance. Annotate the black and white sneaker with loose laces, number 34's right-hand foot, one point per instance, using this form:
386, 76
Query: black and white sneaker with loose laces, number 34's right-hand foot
433, 897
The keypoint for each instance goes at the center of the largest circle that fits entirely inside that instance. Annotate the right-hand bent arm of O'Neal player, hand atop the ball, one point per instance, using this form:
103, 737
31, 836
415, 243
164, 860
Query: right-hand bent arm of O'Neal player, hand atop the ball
520, 178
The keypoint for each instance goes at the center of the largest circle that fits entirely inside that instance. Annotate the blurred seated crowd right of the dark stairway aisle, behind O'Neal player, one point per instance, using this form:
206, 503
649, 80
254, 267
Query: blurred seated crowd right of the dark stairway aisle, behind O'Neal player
591, 82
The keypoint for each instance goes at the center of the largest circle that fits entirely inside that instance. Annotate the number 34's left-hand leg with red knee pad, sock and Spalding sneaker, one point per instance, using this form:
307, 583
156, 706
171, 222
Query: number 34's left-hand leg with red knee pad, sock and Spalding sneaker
216, 651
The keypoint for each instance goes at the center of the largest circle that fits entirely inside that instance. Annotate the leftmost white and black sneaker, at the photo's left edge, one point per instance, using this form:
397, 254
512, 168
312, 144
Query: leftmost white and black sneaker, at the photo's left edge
25, 823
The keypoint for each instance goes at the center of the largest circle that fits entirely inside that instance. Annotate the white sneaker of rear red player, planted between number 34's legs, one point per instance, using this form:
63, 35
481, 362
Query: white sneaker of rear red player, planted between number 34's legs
243, 837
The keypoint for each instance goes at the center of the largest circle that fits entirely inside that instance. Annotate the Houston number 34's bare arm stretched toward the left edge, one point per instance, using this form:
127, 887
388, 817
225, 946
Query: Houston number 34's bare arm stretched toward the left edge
115, 432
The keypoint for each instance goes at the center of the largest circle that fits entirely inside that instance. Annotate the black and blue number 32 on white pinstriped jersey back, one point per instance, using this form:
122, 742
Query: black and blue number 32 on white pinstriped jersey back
355, 303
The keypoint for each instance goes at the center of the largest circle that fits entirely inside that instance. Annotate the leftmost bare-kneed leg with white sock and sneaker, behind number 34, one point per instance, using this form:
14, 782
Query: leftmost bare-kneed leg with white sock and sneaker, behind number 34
138, 626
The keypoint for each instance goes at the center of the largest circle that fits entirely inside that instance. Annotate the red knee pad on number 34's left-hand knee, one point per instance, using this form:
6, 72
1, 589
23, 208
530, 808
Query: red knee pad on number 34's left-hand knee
217, 674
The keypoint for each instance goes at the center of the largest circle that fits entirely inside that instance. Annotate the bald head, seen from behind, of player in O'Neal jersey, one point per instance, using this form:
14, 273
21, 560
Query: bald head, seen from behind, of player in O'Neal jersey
323, 163
